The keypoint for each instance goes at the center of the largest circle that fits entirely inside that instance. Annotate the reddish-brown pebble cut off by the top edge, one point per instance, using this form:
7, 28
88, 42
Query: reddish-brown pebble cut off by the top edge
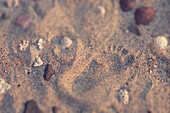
127, 5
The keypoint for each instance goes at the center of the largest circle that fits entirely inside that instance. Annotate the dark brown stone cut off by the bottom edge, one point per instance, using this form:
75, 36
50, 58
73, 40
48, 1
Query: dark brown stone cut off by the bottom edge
32, 107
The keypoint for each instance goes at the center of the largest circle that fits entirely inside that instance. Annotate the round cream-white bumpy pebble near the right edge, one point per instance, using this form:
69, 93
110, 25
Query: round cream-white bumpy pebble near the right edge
160, 42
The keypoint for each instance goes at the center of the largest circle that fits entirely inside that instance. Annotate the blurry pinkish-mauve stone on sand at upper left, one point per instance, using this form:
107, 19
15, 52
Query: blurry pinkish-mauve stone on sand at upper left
23, 20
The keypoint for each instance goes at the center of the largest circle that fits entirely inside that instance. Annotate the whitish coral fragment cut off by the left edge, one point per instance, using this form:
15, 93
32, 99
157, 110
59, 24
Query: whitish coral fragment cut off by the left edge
4, 86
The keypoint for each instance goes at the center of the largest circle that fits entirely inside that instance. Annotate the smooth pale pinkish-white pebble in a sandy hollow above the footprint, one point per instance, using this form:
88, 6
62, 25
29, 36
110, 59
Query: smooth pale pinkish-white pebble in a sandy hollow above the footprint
65, 42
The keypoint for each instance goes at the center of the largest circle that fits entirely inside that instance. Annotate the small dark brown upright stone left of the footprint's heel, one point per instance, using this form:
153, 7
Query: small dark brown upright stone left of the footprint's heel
48, 72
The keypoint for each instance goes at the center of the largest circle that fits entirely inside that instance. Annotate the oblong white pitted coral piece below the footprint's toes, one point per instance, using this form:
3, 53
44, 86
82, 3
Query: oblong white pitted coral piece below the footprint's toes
123, 96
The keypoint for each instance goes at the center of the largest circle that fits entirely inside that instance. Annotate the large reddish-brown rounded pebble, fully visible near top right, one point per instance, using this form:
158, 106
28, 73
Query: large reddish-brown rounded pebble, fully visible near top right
144, 15
